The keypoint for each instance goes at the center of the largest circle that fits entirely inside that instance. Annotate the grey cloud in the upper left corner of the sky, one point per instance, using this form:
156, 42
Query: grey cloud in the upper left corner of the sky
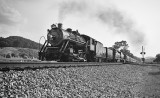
9, 15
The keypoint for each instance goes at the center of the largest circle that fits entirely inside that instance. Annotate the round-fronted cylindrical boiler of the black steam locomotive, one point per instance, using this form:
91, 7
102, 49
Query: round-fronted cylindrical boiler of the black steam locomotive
57, 35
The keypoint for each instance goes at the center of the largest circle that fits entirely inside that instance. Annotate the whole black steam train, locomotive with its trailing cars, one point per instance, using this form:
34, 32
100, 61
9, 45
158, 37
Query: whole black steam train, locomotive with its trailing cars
65, 45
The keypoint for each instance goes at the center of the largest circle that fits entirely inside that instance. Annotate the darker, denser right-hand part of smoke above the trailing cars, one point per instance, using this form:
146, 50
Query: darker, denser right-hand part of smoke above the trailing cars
123, 25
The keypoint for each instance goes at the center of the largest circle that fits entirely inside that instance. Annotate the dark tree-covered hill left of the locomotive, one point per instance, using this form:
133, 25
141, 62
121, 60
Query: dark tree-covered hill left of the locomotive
17, 41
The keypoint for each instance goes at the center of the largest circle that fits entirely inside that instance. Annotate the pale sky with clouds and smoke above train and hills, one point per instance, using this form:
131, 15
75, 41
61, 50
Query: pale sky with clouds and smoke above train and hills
108, 21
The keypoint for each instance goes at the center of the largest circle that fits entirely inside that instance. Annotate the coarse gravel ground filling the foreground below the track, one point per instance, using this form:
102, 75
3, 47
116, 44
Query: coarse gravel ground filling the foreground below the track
111, 81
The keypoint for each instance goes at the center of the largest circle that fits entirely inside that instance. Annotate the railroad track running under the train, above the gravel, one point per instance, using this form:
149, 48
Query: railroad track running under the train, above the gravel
5, 66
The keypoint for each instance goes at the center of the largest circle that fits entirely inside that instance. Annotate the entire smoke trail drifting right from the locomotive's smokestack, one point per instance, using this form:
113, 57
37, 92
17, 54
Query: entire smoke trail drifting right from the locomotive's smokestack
106, 15
